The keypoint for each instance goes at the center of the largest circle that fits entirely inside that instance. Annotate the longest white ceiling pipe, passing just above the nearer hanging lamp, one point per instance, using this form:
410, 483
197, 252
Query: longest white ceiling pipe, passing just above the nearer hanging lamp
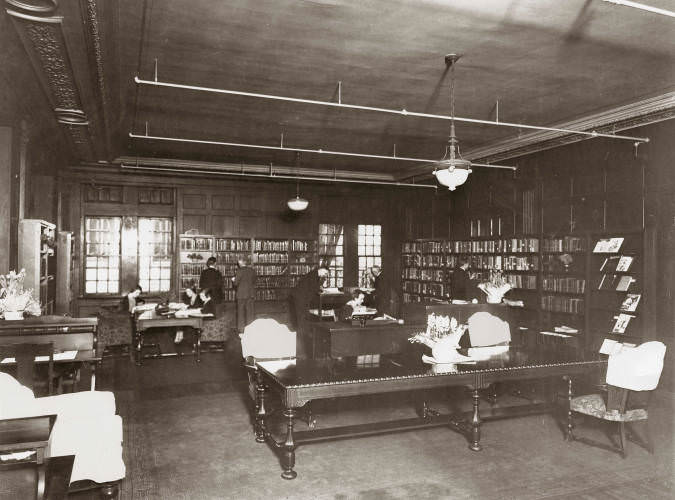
402, 112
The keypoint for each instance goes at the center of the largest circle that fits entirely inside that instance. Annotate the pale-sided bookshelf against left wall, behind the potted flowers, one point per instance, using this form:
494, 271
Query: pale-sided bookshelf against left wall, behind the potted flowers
37, 257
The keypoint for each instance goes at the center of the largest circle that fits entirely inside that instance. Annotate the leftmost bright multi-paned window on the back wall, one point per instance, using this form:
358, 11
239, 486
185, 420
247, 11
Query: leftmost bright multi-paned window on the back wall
102, 254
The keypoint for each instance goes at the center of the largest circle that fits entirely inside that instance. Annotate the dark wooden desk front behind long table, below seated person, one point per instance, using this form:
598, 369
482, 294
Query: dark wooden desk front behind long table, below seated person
339, 339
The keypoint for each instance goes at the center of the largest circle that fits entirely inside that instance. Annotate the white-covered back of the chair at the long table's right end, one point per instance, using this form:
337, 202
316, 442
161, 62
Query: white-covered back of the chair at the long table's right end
638, 368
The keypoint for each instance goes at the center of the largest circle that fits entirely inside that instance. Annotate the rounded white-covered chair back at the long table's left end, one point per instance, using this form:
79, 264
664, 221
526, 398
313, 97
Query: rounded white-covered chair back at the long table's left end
265, 338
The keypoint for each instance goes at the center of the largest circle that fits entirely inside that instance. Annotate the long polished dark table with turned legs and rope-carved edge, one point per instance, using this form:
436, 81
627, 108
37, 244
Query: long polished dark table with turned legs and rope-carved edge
297, 382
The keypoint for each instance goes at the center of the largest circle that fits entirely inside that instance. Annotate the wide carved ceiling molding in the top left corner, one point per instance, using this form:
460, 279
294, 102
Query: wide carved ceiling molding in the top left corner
43, 39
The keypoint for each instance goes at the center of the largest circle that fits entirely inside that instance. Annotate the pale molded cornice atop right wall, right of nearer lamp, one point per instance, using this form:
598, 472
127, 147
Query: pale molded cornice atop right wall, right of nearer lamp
644, 112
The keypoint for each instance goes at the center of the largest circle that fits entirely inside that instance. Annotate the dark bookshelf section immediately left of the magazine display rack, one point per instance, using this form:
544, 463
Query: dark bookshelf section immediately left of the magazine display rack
563, 285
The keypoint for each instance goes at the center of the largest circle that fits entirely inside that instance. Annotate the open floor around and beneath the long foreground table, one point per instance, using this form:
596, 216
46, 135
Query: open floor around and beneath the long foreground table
188, 436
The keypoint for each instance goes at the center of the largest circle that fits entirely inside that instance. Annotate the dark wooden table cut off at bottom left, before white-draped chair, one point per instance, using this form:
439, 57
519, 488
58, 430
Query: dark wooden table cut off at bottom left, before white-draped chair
27, 434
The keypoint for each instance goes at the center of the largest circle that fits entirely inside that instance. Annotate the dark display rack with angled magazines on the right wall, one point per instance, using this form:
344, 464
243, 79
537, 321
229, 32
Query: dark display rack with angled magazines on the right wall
616, 287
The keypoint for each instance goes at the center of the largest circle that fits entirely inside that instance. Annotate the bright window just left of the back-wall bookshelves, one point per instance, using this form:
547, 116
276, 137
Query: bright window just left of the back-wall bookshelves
154, 254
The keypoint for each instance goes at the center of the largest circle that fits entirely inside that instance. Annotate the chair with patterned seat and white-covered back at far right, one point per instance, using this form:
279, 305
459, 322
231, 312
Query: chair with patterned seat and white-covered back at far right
631, 377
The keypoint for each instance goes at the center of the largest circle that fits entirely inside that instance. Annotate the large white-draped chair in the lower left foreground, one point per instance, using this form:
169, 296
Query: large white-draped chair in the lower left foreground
86, 426
